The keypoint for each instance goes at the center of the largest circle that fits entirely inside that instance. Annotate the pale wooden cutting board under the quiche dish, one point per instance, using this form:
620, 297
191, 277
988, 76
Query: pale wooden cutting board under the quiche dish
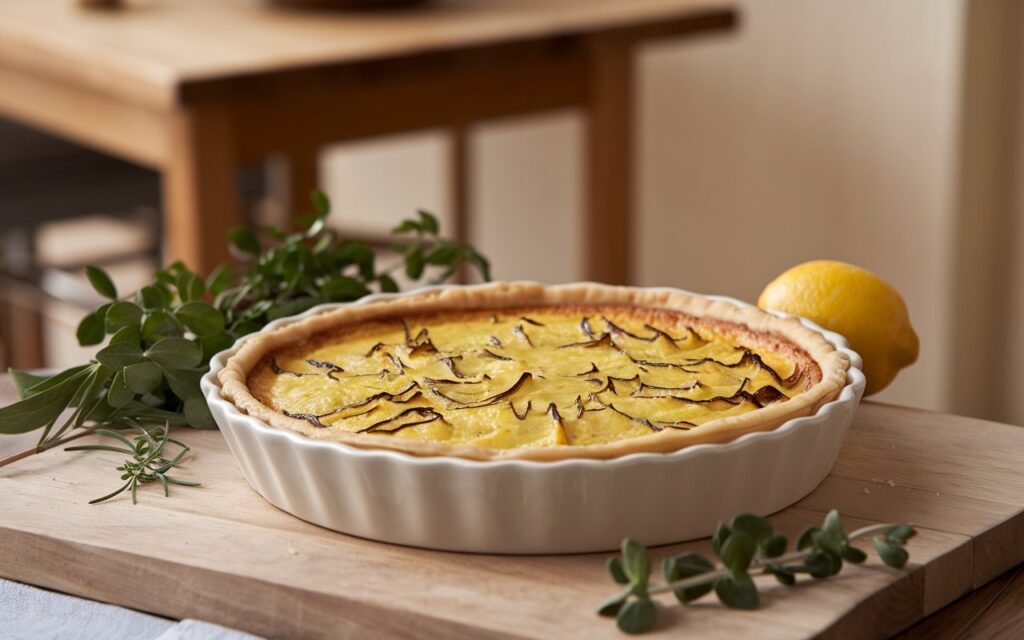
223, 554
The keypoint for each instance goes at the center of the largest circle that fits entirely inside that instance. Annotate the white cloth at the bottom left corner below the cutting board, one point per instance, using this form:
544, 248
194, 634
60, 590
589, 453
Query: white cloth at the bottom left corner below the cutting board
31, 614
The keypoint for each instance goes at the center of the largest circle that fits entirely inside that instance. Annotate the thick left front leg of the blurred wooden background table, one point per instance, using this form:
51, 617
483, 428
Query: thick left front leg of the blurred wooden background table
201, 189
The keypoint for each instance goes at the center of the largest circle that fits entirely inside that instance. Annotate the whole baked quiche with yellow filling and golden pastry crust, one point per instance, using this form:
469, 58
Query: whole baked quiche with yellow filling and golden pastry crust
524, 371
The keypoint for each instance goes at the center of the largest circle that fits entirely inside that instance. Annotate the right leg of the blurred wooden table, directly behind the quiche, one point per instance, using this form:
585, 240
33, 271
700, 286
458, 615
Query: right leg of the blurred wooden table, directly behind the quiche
608, 230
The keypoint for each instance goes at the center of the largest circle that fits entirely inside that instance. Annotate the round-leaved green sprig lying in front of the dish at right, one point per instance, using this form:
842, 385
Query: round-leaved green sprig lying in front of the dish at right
747, 546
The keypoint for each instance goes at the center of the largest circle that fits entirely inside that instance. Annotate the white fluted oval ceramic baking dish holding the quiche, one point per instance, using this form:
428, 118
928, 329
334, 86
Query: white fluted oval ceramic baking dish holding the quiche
526, 507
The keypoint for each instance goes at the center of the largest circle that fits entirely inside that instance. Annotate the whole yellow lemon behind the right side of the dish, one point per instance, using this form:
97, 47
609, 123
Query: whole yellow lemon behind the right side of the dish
856, 304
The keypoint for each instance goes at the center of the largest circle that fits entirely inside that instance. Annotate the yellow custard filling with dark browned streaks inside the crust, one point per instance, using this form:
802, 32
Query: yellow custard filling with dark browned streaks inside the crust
530, 377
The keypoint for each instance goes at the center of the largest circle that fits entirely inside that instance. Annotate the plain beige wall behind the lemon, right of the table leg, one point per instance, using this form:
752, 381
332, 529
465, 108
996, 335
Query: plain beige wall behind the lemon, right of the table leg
823, 131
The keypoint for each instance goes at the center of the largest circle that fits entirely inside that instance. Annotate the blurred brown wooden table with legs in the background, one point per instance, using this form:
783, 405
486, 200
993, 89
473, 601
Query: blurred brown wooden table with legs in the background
197, 90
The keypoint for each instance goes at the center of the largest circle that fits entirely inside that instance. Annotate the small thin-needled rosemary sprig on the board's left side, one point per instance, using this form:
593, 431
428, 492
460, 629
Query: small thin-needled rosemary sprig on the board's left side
148, 463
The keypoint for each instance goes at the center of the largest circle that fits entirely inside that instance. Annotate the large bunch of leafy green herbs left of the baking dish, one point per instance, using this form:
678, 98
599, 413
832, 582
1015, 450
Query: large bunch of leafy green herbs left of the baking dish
160, 339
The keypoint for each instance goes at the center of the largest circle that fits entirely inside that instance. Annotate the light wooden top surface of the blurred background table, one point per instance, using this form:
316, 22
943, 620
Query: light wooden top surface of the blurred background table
158, 46
